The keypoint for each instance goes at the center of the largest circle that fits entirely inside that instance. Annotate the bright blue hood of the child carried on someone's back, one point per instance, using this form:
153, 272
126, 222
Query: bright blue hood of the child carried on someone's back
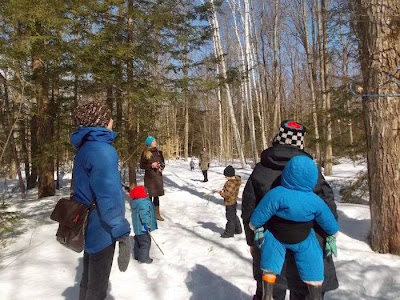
300, 173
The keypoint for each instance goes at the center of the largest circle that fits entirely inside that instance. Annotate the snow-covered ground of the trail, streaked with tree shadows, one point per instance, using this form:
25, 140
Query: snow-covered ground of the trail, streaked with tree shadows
197, 264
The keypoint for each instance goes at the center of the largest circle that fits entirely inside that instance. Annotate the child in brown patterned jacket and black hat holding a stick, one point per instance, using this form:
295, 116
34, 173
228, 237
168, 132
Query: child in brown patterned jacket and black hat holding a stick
230, 193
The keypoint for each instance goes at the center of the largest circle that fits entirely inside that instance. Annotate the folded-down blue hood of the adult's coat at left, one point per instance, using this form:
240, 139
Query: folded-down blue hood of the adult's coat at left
98, 134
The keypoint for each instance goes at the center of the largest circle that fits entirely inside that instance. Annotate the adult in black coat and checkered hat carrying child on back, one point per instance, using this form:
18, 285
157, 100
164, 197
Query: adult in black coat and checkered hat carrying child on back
287, 143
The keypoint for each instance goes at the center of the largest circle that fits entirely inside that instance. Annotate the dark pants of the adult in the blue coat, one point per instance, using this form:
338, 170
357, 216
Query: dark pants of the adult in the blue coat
96, 273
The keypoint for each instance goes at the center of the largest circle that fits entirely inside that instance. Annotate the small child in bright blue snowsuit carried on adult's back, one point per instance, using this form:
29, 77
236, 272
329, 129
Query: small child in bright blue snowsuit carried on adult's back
295, 203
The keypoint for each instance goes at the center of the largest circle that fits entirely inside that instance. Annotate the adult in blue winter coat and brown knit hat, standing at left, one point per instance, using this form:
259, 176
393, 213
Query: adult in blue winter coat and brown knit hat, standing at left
97, 180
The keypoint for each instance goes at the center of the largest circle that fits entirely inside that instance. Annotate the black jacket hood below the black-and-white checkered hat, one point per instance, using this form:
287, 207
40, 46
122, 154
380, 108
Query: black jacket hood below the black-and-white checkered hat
276, 157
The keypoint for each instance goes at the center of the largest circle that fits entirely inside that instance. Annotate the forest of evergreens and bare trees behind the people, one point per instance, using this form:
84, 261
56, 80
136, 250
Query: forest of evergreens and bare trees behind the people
218, 74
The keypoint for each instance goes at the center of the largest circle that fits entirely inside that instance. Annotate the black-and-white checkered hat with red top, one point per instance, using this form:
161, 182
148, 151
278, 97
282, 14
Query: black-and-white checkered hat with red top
290, 133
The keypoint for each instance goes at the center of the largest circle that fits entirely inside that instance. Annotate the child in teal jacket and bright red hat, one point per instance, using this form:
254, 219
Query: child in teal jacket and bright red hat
144, 221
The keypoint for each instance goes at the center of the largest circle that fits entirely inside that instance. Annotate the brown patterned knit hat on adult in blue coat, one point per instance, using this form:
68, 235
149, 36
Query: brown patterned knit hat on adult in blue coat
92, 114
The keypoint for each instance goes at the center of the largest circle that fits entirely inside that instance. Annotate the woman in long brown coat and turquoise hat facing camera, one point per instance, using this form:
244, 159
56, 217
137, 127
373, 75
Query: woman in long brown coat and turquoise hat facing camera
152, 161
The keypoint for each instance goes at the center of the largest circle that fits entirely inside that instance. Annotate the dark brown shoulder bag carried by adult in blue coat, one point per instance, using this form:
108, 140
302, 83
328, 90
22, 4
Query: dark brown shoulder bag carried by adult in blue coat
72, 217
